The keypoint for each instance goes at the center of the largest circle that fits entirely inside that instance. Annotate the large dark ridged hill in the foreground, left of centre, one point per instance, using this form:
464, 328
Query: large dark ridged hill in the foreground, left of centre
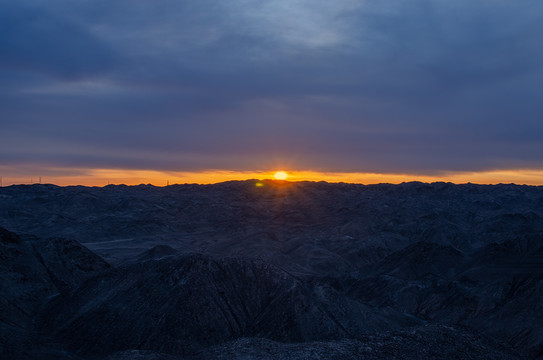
180, 305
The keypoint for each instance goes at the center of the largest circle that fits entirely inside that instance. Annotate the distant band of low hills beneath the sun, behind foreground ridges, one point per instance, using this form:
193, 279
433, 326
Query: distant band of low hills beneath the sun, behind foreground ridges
305, 227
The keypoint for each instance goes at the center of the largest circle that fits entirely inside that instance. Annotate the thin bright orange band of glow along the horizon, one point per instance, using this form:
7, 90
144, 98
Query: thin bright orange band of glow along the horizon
102, 177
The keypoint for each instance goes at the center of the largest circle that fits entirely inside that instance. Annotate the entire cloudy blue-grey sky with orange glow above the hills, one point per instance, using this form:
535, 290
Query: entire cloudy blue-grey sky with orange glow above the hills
93, 91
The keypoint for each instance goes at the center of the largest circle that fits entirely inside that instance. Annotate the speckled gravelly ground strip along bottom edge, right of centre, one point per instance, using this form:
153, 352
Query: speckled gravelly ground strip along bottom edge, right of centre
425, 342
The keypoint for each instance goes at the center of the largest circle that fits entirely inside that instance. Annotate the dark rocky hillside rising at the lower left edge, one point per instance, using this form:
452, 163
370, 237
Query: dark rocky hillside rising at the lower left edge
32, 271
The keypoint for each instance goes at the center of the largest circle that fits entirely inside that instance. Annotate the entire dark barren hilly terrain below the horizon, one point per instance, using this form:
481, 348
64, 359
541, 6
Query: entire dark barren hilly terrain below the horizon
280, 271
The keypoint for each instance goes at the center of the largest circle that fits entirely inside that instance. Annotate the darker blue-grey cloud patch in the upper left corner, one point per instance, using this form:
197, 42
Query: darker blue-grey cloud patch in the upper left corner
36, 39
